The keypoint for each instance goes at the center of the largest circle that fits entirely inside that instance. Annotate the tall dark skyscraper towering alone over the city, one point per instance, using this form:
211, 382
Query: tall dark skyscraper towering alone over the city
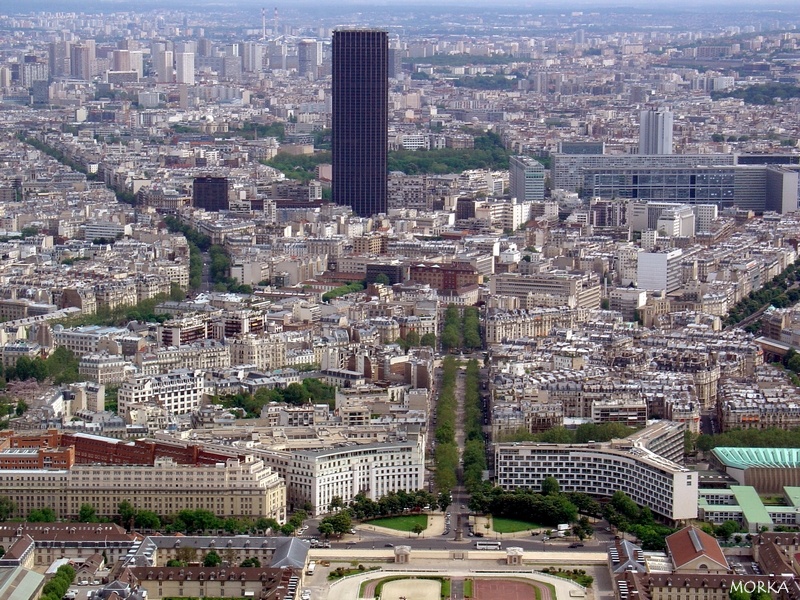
360, 120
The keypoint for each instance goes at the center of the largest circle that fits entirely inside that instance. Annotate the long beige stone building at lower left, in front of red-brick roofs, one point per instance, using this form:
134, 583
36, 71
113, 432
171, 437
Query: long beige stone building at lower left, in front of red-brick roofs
235, 488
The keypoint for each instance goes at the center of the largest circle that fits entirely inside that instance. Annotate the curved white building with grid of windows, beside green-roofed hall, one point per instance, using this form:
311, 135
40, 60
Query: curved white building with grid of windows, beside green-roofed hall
665, 487
